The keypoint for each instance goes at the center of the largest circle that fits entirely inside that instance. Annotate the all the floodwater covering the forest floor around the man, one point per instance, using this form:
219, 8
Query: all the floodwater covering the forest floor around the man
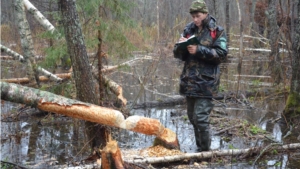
49, 140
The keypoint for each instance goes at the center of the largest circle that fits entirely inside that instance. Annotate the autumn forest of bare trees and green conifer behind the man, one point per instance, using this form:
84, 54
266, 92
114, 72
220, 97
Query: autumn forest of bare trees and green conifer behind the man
117, 31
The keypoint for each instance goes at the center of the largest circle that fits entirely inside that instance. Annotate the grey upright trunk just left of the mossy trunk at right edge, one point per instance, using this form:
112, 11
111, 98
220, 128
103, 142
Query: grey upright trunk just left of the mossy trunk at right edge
273, 32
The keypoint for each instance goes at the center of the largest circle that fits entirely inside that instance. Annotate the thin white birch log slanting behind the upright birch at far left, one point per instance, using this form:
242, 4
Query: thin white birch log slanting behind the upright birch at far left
48, 74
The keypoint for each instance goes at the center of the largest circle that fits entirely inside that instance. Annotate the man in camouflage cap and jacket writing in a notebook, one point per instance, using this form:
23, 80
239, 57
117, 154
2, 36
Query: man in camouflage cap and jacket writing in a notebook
200, 77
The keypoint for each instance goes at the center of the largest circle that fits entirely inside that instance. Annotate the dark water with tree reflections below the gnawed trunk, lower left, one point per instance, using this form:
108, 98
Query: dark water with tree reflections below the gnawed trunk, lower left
39, 142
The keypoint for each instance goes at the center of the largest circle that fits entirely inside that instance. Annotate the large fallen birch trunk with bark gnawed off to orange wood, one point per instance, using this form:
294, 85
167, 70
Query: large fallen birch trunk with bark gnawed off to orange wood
58, 104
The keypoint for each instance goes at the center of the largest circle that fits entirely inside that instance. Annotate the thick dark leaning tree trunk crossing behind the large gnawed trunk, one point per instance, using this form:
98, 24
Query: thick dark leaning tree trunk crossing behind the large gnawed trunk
85, 88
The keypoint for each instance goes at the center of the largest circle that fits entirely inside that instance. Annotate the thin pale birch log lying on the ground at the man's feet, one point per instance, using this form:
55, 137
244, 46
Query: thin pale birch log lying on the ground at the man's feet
210, 154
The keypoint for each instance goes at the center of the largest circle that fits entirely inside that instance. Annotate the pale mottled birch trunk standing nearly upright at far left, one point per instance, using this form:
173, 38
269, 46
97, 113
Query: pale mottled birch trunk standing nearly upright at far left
26, 43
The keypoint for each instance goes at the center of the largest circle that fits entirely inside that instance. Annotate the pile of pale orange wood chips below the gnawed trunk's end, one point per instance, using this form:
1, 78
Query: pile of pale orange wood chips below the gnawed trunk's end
160, 151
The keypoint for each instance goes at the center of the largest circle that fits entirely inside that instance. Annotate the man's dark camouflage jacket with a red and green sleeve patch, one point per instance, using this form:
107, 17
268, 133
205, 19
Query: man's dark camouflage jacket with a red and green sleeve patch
201, 73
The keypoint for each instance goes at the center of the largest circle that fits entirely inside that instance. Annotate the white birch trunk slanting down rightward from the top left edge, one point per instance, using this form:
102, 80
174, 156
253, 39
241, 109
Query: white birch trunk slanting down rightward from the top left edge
38, 16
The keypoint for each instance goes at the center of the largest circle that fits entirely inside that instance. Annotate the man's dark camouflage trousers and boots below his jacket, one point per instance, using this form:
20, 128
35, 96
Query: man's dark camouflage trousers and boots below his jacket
198, 110
